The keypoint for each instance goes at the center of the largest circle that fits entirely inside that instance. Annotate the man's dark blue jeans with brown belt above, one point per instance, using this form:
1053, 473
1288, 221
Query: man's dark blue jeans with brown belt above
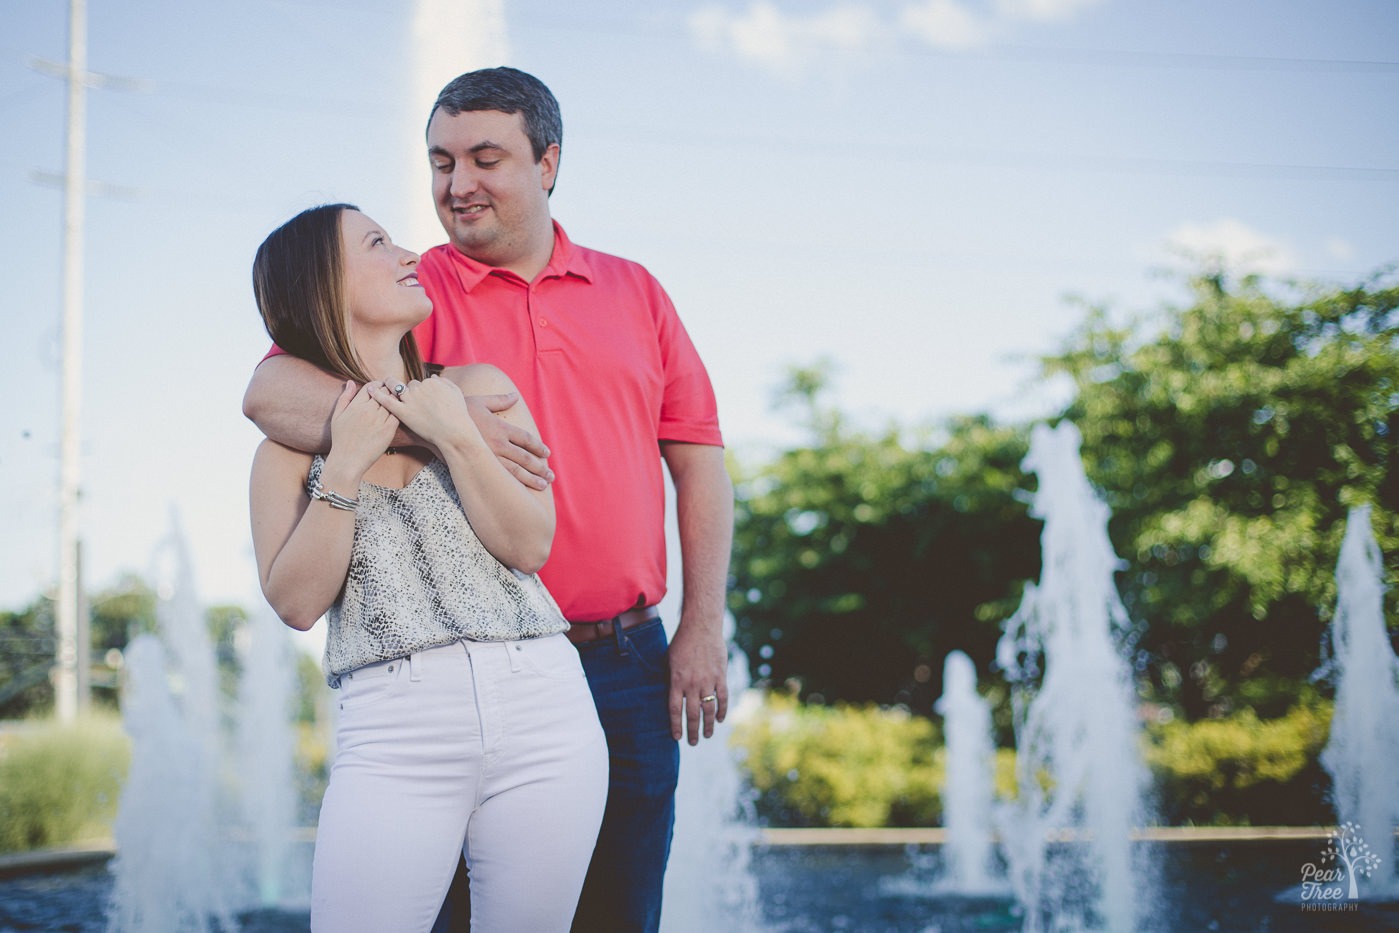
630, 679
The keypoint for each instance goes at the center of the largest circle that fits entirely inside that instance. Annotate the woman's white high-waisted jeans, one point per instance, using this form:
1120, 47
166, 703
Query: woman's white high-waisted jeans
489, 749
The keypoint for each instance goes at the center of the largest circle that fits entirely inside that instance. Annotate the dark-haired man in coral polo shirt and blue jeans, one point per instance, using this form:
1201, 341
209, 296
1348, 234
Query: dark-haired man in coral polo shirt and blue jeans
595, 346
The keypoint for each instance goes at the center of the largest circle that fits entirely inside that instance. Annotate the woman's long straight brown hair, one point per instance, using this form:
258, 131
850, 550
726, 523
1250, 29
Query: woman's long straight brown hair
299, 282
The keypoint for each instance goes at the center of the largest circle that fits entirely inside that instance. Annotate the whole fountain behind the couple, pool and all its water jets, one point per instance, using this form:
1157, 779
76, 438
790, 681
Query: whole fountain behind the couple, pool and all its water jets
1079, 783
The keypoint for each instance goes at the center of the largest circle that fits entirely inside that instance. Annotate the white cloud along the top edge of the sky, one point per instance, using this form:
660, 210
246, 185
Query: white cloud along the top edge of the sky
786, 43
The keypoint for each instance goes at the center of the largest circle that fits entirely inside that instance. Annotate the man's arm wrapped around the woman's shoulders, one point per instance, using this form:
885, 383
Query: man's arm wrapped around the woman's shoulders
290, 401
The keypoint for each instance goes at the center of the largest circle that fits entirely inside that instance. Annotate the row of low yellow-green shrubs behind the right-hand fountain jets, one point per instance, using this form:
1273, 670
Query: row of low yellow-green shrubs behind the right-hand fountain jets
864, 766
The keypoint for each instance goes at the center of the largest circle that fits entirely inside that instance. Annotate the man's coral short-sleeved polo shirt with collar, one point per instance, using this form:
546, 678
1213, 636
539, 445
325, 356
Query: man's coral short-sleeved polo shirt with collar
608, 371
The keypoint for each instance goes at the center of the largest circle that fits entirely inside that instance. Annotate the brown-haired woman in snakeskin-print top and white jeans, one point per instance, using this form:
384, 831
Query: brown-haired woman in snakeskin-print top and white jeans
467, 725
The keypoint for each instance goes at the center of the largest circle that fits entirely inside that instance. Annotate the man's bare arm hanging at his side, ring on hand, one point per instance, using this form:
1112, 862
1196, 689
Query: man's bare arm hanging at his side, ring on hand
699, 657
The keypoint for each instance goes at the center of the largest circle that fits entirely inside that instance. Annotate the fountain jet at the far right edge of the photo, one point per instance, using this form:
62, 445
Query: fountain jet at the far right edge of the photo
1363, 749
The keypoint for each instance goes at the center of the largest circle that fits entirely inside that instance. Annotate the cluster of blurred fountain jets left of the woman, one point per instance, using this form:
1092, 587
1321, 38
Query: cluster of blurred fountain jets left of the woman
204, 834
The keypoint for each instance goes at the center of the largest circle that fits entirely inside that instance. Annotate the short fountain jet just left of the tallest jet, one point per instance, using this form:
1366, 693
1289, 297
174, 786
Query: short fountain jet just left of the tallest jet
969, 853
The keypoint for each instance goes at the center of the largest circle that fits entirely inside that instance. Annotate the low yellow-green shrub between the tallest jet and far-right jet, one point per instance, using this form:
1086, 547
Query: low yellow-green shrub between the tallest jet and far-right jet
1243, 770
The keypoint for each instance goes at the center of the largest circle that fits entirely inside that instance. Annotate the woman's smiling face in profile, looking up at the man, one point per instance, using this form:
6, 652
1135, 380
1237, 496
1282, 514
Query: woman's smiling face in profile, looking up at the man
381, 280
